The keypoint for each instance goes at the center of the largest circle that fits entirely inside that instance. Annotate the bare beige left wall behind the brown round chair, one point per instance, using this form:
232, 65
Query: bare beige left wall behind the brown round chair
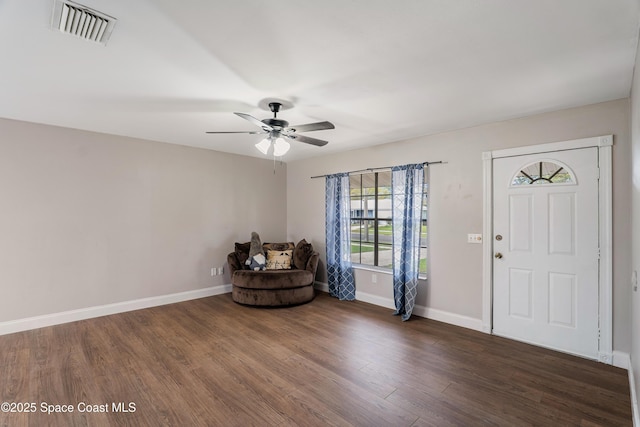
90, 219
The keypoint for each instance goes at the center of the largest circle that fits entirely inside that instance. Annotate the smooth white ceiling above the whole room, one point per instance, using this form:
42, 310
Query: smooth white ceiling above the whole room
380, 70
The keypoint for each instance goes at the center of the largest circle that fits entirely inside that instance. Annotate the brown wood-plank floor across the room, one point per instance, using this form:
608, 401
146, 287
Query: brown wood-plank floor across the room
213, 362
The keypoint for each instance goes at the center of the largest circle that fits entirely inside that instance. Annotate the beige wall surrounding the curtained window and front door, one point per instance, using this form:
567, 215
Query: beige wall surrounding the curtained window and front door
455, 284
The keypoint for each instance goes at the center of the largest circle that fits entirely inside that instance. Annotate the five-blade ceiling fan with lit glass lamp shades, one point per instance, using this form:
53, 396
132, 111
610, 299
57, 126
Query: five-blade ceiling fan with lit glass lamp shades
278, 131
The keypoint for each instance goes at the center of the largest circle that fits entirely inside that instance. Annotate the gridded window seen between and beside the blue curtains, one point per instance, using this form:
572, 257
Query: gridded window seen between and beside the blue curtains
371, 227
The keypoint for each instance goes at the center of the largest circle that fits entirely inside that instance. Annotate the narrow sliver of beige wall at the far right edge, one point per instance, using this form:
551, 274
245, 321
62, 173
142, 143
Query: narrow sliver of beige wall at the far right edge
635, 196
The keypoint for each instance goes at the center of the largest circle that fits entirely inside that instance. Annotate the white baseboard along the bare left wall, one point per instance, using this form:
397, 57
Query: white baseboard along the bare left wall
19, 325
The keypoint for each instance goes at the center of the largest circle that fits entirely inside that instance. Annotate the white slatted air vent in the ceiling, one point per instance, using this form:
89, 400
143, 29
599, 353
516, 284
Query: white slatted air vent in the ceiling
81, 21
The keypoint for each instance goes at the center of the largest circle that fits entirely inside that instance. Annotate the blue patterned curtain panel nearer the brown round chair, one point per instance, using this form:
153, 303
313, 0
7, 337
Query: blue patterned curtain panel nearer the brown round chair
338, 234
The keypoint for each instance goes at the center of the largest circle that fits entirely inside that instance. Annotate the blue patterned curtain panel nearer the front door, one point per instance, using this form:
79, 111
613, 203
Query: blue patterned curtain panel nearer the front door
407, 183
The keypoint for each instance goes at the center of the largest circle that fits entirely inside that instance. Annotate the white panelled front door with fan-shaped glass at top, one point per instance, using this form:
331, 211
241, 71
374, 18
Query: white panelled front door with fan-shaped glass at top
546, 256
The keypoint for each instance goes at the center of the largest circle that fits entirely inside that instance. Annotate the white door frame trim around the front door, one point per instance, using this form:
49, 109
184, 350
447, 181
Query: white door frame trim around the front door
605, 220
